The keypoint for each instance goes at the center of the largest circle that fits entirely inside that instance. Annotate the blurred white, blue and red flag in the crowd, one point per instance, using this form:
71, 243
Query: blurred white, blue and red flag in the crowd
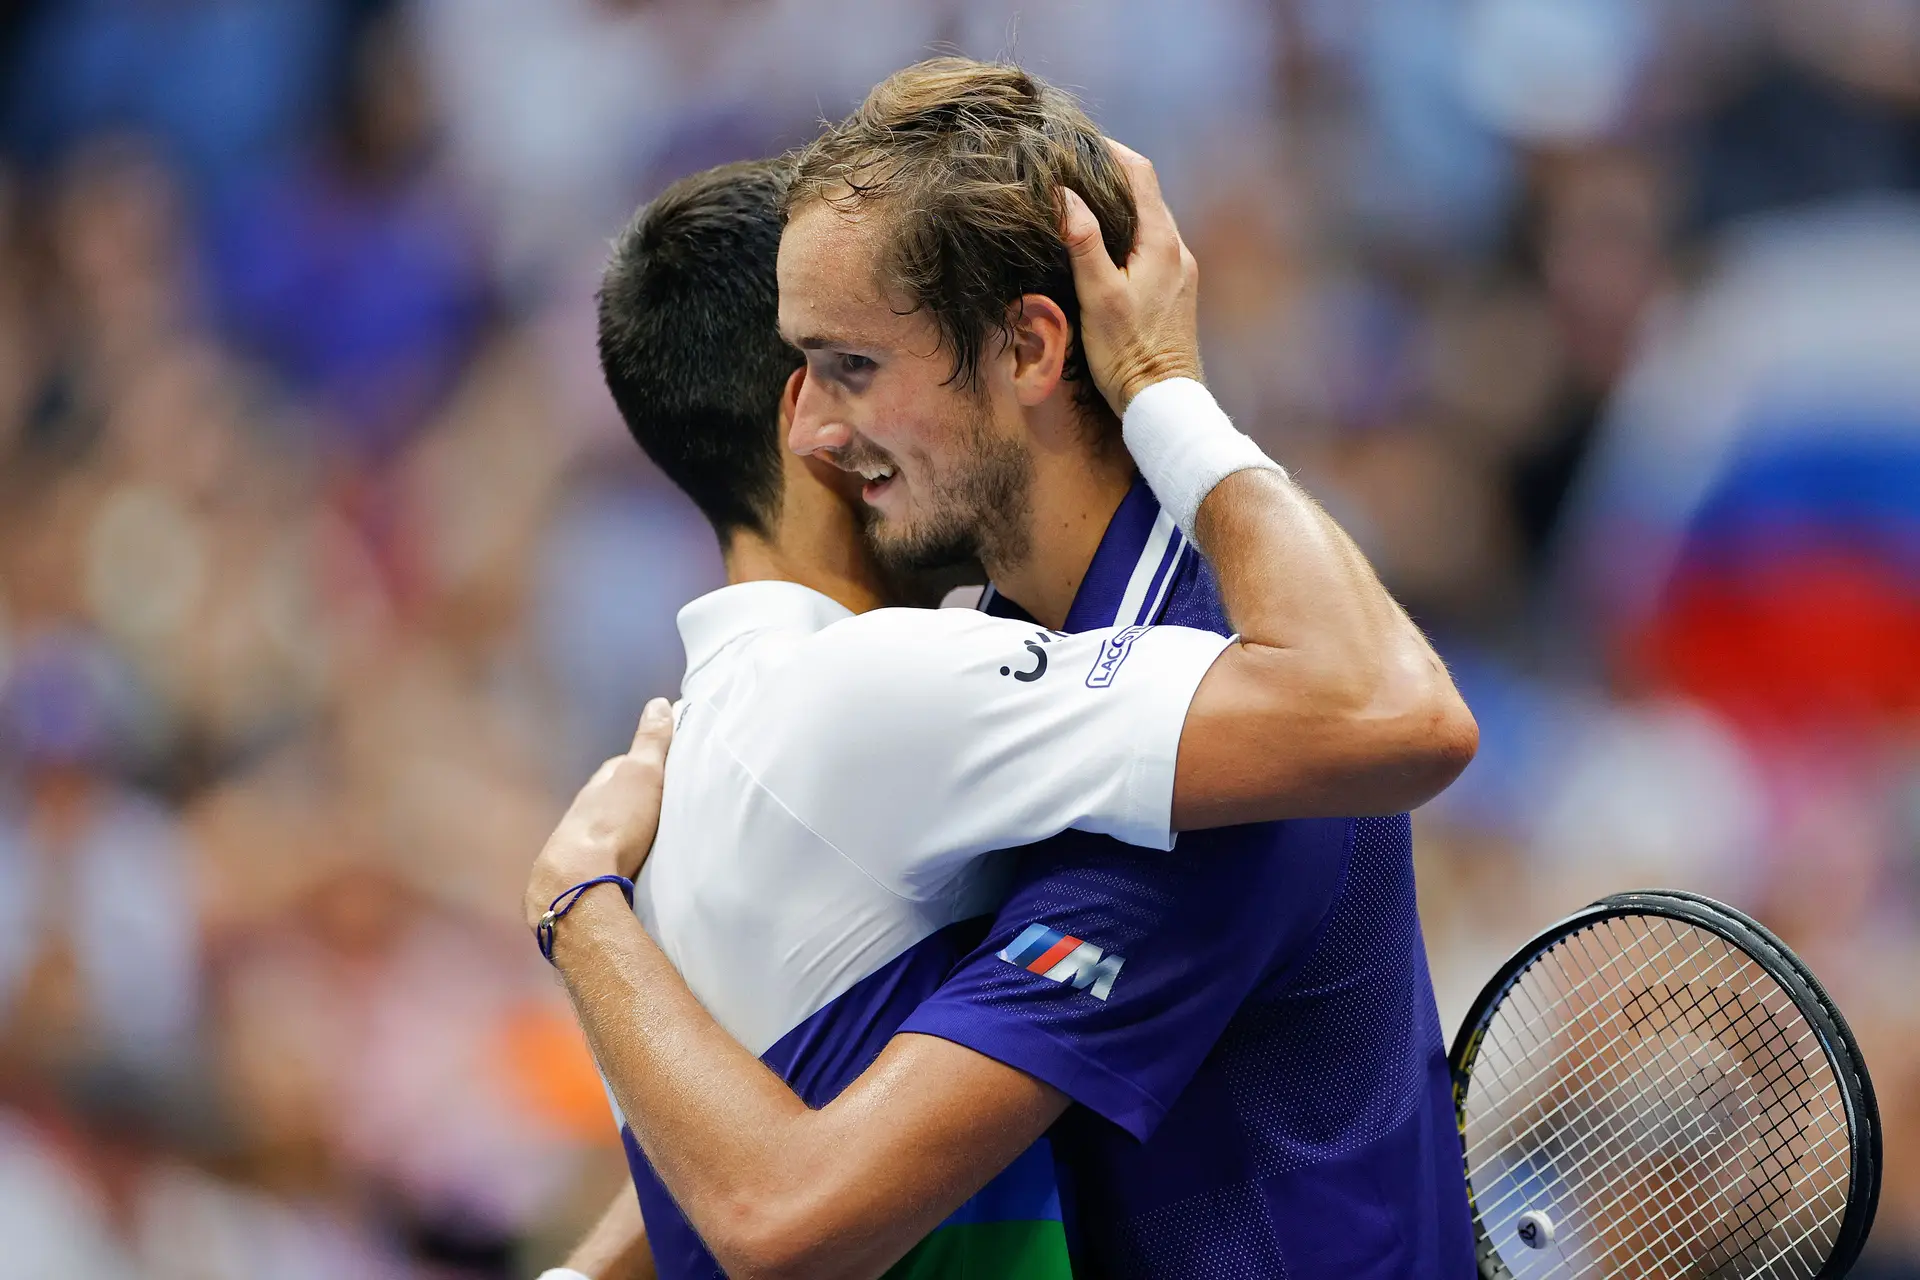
1748, 531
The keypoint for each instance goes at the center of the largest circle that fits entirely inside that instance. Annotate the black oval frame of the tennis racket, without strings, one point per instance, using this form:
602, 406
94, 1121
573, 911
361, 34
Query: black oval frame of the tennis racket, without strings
1781, 964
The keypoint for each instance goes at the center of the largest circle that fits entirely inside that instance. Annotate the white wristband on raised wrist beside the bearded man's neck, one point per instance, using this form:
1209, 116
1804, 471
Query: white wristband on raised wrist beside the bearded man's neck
1186, 444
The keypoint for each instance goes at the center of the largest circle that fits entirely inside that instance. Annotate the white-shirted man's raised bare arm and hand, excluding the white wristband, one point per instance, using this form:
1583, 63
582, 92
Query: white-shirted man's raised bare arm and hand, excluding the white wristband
1333, 703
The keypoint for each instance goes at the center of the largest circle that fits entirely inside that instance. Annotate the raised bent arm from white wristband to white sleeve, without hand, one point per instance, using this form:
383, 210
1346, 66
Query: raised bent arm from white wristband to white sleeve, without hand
1333, 703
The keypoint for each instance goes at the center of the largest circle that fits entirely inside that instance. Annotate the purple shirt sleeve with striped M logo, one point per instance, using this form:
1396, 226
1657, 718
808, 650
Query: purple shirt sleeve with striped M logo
1113, 976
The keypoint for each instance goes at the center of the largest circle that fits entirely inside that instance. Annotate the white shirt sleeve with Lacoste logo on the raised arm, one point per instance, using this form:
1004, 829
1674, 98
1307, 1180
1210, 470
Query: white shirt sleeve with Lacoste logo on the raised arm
917, 740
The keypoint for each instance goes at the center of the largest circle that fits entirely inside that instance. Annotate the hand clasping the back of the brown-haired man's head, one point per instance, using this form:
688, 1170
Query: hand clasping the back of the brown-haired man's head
1140, 321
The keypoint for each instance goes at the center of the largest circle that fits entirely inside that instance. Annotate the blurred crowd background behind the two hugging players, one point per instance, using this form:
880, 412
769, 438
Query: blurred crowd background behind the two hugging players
327, 569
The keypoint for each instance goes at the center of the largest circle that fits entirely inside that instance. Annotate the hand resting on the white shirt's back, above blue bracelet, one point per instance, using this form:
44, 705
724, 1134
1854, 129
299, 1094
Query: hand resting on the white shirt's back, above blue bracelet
610, 826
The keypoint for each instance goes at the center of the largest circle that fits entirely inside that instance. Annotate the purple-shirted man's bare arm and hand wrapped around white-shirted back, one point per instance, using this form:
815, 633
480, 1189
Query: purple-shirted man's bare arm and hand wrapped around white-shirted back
773, 1187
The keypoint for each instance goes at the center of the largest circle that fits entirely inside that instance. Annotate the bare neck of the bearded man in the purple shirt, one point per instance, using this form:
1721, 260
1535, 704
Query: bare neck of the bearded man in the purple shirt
1076, 494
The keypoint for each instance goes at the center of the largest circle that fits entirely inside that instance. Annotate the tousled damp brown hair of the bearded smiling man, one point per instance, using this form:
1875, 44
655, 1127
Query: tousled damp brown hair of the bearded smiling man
965, 158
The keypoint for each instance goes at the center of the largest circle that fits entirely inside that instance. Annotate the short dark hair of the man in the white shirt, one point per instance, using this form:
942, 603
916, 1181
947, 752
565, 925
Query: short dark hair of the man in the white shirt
690, 341
